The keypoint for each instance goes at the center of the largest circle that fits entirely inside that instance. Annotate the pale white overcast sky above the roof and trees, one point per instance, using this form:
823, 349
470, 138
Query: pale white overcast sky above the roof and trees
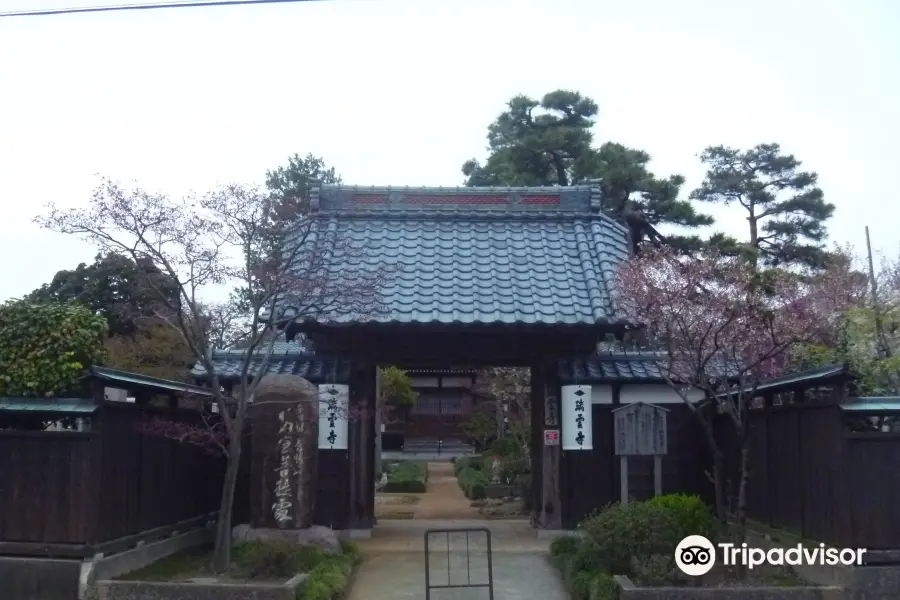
401, 93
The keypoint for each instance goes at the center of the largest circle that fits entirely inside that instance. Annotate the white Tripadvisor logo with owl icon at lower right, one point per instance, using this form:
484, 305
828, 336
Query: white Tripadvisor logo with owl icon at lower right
695, 555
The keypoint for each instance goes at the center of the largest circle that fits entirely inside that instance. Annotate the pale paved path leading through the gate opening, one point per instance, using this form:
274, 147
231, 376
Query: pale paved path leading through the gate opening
394, 563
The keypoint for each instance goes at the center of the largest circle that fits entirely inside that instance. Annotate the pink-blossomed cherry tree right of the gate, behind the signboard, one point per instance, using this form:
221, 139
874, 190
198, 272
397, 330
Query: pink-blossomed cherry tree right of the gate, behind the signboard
723, 326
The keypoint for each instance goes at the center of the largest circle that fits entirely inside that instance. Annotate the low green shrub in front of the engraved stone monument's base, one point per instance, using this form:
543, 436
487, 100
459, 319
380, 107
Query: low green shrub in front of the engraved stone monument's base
274, 559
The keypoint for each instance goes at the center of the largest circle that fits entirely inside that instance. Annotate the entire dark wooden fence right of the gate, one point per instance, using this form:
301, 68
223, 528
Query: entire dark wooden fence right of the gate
812, 477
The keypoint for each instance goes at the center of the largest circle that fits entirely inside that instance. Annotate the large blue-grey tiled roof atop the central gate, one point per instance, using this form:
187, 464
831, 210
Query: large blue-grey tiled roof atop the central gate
538, 256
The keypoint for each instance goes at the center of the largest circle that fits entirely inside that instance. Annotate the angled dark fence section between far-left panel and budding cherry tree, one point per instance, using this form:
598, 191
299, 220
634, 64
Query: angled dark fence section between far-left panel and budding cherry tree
148, 480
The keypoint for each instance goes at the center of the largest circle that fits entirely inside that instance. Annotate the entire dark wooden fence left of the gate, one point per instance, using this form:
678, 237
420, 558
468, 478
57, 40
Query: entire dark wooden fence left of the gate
73, 493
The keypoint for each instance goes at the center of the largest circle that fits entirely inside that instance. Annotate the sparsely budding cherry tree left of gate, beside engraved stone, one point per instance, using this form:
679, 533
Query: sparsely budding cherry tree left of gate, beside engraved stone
281, 268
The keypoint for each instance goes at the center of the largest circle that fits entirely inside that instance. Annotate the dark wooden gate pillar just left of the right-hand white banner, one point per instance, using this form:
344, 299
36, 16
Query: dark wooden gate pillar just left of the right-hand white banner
551, 455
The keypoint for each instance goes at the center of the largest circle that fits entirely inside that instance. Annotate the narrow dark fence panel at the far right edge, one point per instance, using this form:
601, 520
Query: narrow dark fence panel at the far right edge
872, 482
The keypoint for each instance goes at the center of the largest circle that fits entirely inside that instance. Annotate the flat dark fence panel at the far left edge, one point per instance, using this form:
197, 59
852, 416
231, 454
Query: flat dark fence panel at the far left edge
45, 484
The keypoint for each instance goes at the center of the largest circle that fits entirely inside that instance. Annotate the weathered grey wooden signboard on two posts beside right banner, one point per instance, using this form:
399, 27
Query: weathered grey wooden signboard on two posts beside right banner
640, 429
